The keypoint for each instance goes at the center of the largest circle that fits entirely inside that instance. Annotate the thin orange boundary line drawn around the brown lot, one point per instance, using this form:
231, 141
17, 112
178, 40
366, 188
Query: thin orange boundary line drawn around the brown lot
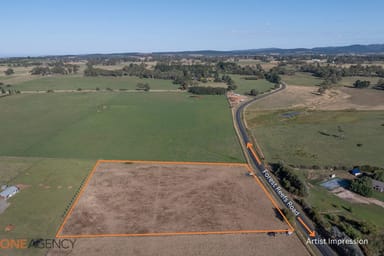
58, 233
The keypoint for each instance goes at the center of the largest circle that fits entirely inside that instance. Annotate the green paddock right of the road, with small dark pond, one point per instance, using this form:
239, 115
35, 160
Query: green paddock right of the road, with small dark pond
302, 139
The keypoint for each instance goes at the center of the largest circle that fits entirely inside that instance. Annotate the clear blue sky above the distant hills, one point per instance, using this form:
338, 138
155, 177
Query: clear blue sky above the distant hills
41, 27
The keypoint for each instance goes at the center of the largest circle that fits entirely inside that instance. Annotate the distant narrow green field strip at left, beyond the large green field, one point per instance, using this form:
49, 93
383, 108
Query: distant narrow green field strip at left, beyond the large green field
78, 81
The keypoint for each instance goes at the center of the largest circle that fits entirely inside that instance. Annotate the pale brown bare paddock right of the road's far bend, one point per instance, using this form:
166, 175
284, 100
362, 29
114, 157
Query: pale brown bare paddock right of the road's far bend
334, 99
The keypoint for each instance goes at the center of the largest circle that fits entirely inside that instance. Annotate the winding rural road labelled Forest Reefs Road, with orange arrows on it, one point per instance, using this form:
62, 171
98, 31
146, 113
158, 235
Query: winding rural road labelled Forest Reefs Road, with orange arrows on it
244, 138
